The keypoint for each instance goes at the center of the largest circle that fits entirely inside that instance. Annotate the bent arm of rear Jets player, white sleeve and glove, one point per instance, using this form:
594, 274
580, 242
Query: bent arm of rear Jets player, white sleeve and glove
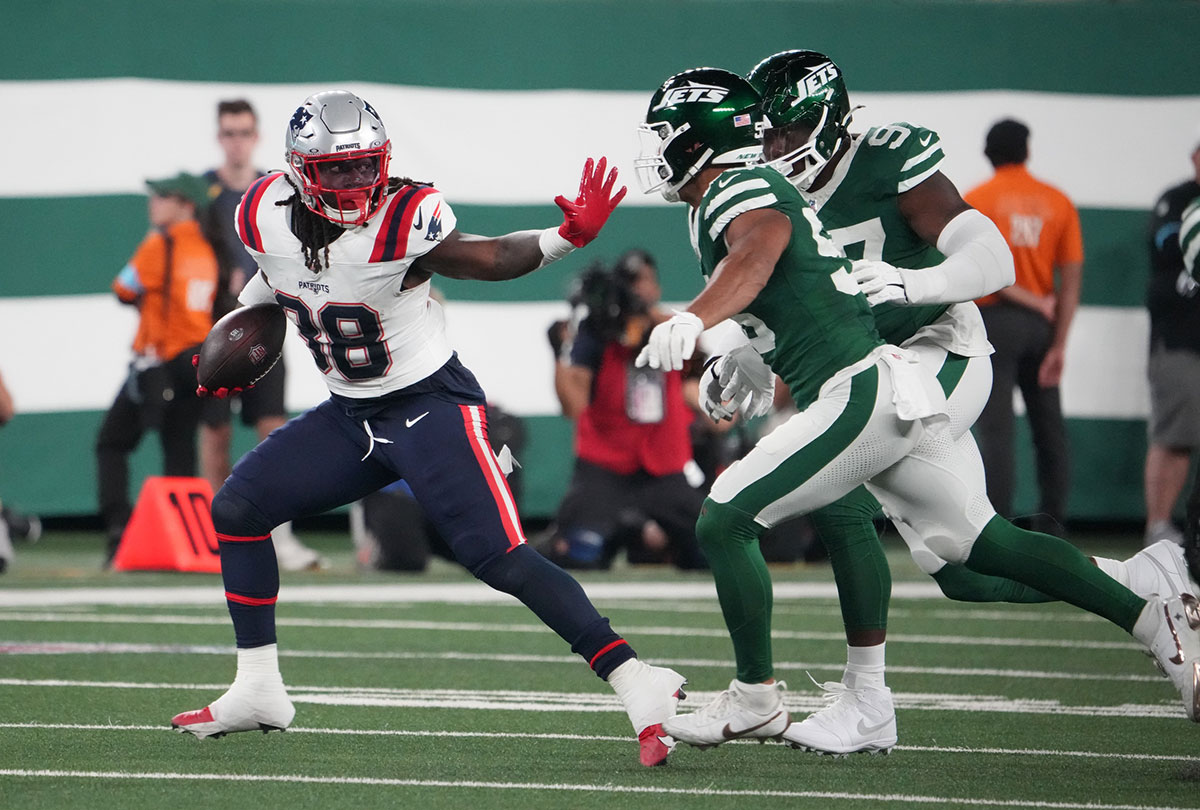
977, 257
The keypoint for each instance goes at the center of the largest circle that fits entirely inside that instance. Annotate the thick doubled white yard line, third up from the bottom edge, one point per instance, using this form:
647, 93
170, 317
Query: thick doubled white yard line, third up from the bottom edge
590, 703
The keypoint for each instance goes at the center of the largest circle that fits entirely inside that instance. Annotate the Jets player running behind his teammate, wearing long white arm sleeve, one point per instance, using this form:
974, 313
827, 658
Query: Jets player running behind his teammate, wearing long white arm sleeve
923, 256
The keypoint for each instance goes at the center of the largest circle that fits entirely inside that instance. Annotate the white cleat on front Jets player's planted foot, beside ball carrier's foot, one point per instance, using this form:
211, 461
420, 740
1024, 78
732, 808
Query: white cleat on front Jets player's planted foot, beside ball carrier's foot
741, 712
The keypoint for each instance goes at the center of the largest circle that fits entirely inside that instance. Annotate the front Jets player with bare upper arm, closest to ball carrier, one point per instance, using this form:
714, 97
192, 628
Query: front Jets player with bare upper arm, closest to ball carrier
869, 412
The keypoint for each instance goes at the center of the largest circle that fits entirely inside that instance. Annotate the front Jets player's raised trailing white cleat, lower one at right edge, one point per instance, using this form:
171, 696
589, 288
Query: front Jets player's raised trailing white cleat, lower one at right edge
1171, 628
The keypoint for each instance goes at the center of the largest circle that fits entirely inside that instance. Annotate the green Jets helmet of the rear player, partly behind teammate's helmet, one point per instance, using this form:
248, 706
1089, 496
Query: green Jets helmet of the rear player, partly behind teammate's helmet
803, 94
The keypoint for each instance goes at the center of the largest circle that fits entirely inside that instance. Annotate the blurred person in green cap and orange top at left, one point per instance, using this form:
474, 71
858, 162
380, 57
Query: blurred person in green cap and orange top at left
172, 281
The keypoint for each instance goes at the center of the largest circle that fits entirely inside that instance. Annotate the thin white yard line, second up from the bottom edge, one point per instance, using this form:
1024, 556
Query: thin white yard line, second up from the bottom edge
610, 739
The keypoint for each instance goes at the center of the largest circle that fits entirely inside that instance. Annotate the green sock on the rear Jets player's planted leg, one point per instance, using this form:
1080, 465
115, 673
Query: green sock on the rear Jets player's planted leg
861, 569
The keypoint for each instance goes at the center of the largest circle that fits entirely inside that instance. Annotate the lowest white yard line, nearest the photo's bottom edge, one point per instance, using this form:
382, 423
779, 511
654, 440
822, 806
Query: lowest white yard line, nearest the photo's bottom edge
607, 789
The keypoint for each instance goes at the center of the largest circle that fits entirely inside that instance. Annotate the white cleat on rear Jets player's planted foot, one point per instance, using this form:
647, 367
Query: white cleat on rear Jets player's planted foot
854, 721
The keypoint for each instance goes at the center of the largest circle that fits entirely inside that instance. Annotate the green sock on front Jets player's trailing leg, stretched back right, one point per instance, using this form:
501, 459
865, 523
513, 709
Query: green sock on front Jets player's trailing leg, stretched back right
1055, 568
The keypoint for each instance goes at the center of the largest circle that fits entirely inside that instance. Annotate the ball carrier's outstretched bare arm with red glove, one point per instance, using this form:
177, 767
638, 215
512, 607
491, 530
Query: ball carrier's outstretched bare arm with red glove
500, 259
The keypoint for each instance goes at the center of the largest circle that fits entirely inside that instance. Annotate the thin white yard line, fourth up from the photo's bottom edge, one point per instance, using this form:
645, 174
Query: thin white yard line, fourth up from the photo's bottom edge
106, 649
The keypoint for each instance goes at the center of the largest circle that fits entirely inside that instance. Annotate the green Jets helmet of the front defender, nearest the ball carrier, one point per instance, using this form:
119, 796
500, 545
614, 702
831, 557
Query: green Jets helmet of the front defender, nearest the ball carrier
700, 118
